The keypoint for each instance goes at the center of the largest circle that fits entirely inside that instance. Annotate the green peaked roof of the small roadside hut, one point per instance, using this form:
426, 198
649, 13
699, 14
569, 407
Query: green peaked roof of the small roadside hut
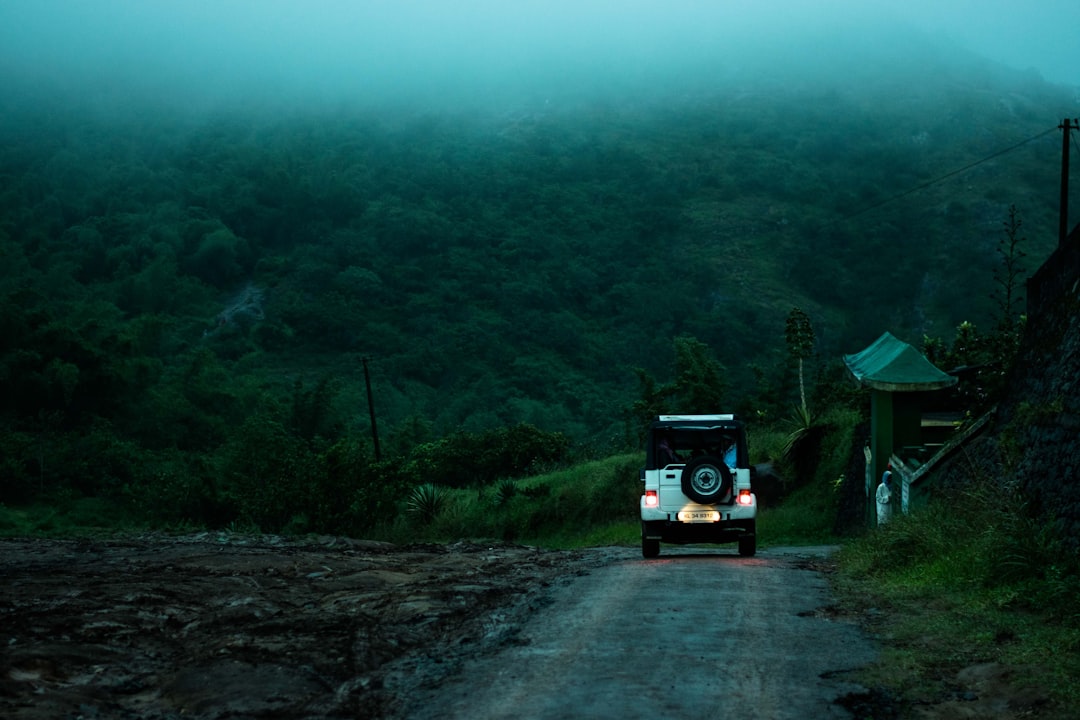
894, 365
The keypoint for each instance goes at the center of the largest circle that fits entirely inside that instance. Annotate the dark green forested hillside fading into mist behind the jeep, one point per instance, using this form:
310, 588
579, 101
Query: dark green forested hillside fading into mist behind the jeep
167, 277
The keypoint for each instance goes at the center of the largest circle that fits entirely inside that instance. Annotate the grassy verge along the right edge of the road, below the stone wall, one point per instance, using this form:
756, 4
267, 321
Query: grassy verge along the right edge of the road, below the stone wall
963, 583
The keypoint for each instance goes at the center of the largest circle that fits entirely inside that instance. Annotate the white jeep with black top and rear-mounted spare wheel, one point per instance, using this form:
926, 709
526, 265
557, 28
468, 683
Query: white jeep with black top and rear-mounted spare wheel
698, 484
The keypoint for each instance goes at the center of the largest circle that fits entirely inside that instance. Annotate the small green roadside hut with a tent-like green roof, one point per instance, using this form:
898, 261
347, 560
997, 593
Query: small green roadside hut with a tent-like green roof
898, 376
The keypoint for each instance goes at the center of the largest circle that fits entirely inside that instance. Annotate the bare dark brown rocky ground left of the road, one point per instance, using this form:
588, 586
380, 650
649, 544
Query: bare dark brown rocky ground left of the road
215, 626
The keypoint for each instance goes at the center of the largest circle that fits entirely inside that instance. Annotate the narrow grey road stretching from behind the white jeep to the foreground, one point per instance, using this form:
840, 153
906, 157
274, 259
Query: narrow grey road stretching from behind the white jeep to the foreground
691, 635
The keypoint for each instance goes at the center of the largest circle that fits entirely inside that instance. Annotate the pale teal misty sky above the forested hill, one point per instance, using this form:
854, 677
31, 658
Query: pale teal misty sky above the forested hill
211, 53
